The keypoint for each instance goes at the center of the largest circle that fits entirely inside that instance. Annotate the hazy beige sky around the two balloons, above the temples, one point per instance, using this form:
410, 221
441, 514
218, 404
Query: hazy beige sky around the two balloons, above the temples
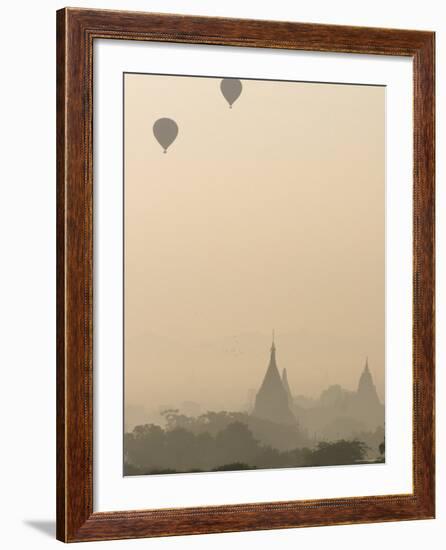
267, 215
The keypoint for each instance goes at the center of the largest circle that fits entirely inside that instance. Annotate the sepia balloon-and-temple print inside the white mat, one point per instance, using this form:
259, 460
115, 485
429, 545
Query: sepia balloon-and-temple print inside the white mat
252, 205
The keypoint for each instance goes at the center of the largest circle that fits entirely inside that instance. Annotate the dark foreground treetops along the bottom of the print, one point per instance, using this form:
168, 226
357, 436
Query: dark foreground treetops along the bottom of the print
228, 444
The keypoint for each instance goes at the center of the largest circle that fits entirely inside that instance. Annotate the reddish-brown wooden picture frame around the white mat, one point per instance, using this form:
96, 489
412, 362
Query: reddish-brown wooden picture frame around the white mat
76, 31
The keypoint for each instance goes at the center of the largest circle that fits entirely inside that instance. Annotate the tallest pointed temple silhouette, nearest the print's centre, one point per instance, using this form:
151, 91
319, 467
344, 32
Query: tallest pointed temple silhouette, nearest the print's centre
272, 400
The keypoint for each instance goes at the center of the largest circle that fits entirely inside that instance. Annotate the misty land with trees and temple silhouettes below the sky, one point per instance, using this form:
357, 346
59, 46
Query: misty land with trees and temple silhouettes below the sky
275, 429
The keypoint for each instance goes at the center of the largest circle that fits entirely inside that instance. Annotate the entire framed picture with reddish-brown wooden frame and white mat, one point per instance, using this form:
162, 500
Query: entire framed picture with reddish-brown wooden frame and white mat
245, 275
